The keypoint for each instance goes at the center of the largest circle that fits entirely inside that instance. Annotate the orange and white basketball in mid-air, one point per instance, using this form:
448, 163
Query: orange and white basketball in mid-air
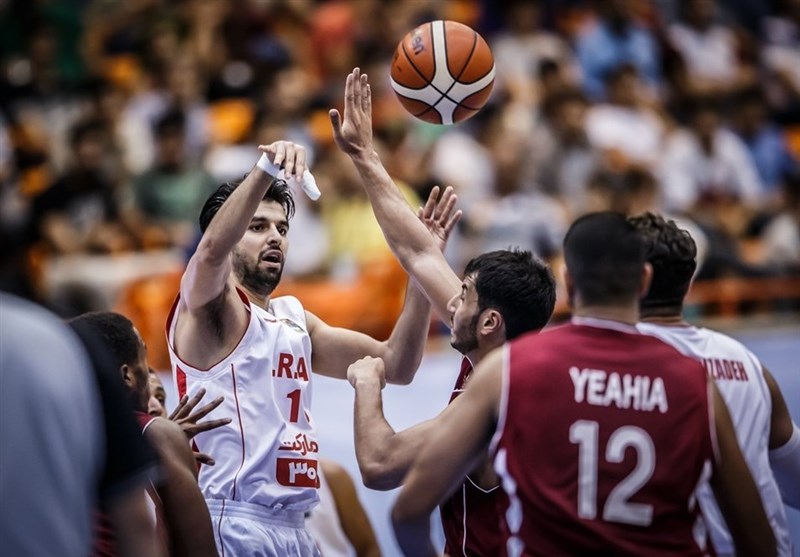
442, 72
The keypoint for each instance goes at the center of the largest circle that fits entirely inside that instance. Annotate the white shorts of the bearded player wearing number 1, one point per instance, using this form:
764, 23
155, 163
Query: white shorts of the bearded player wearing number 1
247, 530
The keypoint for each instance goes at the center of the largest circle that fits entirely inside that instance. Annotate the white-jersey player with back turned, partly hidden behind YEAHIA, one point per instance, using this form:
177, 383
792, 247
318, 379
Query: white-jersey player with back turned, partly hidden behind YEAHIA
769, 440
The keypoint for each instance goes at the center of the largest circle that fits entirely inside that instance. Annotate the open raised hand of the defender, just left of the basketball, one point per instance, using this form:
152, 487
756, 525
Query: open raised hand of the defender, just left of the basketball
352, 130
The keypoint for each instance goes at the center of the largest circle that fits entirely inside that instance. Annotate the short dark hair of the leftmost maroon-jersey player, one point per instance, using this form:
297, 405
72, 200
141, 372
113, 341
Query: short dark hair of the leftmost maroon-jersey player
113, 332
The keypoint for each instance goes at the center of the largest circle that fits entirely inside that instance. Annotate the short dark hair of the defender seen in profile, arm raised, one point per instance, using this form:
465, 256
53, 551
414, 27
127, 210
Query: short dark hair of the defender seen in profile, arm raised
518, 285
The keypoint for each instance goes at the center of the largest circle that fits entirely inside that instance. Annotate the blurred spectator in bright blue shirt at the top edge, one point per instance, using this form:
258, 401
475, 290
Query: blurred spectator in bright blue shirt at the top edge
614, 39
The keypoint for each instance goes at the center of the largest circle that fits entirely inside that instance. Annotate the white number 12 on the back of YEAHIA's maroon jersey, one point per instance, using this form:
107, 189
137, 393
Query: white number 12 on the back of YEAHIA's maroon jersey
584, 433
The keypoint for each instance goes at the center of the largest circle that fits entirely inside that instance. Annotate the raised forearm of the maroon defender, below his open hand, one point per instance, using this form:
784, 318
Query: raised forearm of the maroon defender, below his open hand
405, 234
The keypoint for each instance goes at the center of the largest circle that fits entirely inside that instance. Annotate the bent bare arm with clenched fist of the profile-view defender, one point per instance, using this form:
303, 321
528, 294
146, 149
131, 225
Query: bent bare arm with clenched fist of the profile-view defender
384, 456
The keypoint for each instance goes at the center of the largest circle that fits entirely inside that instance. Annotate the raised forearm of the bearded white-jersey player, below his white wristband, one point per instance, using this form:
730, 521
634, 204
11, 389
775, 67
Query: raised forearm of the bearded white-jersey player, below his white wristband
231, 221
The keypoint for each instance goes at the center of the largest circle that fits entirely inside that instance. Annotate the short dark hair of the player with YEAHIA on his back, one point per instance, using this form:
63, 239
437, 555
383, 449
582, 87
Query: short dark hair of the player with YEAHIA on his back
604, 256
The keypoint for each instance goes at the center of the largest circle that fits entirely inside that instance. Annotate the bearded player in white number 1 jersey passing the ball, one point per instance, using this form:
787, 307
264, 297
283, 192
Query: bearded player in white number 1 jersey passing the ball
228, 336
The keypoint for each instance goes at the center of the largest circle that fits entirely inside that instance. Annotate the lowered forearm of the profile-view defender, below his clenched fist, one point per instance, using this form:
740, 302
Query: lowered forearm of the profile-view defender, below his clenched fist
381, 465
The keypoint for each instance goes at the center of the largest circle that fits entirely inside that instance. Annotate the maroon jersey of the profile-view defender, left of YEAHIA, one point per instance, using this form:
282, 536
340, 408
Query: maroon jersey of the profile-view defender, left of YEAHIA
470, 517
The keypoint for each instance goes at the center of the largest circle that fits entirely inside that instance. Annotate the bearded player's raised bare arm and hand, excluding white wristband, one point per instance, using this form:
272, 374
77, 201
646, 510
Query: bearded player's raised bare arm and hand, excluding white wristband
211, 318
